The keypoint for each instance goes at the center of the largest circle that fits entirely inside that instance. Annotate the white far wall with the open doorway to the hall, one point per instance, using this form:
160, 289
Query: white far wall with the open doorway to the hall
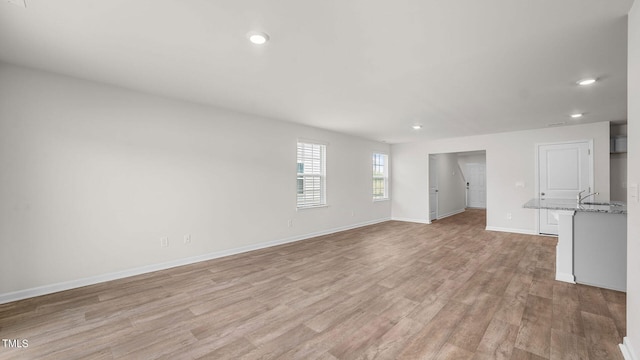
510, 158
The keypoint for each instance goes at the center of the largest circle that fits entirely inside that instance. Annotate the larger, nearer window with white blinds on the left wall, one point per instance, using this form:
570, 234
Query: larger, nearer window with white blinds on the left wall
311, 182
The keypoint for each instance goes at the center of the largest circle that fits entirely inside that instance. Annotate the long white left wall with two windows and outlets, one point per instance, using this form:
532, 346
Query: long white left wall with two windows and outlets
92, 176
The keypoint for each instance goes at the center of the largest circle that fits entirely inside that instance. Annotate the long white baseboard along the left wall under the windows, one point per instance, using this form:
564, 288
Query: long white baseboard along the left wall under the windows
67, 285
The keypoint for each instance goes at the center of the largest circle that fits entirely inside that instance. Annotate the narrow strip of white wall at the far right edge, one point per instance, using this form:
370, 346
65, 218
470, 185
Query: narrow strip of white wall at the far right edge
633, 217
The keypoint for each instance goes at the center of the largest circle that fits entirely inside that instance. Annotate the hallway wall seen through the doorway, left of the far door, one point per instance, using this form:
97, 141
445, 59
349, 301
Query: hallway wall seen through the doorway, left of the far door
451, 186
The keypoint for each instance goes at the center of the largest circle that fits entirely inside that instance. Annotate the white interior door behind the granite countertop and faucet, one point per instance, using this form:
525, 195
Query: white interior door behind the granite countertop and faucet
564, 170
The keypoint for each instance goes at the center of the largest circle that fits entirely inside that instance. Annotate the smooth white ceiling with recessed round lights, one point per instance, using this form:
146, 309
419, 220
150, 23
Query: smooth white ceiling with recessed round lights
370, 68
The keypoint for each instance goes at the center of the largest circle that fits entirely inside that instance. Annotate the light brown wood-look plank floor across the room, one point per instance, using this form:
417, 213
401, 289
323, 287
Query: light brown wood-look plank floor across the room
450, 290
